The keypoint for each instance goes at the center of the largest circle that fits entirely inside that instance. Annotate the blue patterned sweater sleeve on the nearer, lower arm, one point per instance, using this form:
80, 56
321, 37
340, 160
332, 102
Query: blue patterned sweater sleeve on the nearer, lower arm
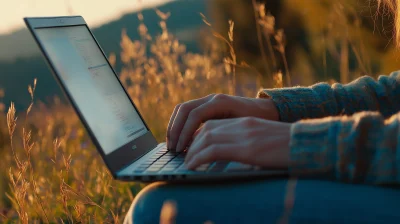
363, 148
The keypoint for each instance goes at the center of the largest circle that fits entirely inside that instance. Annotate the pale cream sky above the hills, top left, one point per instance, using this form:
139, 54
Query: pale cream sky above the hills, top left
95, 12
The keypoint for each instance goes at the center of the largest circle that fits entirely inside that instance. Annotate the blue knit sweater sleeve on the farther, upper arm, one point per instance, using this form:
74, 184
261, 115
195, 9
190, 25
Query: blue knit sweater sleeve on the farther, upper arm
322, 100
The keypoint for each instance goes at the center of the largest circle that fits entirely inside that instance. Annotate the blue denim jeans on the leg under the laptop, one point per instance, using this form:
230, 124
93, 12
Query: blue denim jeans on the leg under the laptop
269, 201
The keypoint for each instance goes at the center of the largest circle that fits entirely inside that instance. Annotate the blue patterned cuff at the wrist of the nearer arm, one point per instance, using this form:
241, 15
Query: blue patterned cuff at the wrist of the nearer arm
312, 146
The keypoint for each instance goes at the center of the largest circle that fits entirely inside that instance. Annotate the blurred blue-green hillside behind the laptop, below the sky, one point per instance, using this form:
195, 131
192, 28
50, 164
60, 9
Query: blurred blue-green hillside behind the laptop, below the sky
21, 62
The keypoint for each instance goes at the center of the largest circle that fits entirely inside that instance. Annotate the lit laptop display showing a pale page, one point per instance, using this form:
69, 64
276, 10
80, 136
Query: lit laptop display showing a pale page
90, 81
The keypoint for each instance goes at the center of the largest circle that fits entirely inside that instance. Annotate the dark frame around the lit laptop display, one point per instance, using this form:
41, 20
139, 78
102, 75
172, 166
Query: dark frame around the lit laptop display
122, 156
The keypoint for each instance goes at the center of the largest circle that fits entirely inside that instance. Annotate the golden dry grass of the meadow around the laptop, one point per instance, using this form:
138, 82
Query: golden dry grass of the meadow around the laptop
50, 170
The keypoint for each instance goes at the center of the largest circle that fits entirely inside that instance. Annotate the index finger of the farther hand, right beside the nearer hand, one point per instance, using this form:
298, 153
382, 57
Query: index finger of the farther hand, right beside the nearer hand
197, 116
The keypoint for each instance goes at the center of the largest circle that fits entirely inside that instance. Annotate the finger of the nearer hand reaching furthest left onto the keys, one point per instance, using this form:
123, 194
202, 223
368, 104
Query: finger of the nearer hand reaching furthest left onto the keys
206, 139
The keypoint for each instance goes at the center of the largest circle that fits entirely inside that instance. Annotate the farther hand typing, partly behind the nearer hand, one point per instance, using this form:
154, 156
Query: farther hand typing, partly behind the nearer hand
187, 117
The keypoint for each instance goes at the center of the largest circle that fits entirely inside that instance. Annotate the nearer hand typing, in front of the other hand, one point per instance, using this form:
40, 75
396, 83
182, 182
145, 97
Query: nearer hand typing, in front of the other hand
247, 140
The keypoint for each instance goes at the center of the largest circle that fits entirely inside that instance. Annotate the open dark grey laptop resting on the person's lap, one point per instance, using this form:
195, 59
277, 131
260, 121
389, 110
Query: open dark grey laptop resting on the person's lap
112, 120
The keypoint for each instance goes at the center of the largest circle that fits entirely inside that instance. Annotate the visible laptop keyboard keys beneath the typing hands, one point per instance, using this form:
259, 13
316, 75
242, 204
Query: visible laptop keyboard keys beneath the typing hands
168, 161
